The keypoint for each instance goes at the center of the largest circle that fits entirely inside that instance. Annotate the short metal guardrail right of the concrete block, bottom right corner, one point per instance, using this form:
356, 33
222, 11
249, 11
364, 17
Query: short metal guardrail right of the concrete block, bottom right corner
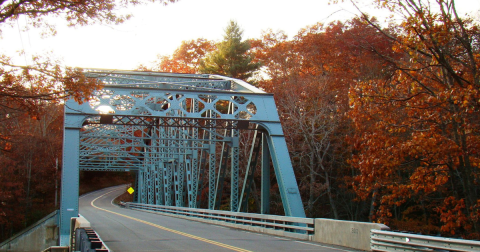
397, 241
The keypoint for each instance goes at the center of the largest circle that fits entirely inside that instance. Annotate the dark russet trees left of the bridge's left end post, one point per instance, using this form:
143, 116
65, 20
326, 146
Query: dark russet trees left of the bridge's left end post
29, 168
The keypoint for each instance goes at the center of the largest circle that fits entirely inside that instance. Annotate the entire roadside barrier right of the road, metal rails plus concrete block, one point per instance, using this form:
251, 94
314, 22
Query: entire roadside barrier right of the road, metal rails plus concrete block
358, 235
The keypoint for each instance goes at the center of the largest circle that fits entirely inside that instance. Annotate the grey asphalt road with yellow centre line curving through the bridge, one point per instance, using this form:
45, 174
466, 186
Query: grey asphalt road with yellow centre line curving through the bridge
130, 230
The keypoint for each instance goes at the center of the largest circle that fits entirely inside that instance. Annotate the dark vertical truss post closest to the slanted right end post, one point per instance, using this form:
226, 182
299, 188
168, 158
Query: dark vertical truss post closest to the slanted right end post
265, 191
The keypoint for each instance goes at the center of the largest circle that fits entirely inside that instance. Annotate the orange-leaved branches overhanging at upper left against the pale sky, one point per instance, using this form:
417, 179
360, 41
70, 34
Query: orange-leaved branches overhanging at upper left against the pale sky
22, 88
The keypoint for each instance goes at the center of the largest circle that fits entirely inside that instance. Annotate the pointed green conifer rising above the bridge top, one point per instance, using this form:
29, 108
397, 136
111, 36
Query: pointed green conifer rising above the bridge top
231, 58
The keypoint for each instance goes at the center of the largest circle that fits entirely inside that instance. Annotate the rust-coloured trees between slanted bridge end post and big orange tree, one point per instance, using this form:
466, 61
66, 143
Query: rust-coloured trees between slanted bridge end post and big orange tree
310, 76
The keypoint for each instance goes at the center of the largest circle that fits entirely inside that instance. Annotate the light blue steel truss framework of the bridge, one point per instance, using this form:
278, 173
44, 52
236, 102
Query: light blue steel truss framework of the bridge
182, 135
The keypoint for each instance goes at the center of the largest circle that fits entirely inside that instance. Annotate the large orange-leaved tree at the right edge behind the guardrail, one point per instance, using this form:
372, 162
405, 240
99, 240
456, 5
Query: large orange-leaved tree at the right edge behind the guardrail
417, 134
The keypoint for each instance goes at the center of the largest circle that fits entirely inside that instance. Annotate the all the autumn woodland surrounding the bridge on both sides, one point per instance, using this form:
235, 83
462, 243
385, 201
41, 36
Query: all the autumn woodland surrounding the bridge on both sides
382, 120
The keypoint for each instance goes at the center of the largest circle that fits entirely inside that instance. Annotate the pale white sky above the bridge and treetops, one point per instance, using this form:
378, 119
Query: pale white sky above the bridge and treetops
155, 29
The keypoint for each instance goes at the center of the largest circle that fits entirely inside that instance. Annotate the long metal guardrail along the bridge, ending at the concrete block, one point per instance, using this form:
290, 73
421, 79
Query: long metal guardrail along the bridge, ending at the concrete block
295, 227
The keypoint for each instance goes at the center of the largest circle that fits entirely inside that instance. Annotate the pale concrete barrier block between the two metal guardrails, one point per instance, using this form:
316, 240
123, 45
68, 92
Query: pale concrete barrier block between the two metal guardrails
350, 234
